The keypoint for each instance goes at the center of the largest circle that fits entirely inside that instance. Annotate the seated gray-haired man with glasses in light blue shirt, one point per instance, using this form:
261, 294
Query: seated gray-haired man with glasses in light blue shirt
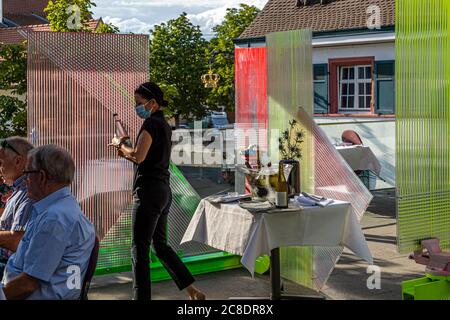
53, 256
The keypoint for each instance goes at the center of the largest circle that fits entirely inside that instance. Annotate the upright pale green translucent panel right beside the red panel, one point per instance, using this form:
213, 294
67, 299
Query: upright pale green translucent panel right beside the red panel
290, 86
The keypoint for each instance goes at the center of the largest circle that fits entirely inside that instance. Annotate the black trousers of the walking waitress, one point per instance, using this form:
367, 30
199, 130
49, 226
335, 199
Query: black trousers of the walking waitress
150, 211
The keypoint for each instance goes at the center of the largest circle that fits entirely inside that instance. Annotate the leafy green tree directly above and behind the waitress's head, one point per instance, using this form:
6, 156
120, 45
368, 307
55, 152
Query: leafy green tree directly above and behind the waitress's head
177, 62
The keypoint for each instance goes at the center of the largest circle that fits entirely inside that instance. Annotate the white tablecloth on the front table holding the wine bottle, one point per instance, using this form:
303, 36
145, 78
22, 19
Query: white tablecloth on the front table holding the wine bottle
230, 228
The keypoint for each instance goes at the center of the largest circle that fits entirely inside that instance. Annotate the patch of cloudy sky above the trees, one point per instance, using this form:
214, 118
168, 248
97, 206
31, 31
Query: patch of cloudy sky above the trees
139, 16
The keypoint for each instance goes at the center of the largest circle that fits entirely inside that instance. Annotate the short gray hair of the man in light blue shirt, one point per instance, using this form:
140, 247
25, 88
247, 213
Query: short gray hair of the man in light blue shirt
55, 161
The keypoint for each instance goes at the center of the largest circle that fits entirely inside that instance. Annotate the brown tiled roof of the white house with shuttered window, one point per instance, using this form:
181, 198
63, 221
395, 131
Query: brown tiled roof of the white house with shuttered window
333, 15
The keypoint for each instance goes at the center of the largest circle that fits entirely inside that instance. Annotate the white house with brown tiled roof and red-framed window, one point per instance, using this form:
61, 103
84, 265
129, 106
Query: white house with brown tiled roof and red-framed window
353, 66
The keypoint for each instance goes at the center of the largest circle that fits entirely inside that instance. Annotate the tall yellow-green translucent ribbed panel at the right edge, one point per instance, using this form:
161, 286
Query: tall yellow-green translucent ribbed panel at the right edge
423, 121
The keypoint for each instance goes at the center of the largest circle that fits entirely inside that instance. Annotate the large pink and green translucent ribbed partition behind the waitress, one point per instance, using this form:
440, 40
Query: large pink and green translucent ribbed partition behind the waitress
76, 82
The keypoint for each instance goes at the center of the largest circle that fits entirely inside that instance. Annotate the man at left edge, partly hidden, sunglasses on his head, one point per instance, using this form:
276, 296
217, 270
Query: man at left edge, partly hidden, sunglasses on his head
18, 208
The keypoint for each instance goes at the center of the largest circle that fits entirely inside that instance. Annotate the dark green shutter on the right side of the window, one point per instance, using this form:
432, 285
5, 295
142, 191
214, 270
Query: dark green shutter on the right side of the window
385, 87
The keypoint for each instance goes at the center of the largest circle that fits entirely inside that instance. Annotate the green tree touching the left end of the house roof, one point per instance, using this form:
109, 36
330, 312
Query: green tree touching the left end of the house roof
221, 53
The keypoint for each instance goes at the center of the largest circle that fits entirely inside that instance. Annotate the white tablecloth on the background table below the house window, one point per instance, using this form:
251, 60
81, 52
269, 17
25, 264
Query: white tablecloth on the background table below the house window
360, 158
